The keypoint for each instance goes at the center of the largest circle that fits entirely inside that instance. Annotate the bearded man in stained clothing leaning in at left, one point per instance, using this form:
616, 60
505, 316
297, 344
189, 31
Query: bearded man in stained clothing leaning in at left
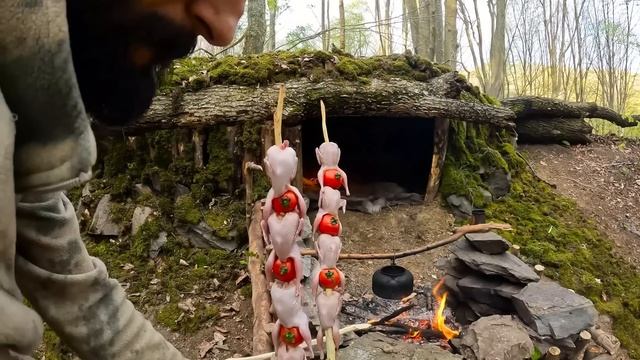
59, 61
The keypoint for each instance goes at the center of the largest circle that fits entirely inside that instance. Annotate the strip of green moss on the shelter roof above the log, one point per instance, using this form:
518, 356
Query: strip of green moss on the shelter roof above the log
263, 69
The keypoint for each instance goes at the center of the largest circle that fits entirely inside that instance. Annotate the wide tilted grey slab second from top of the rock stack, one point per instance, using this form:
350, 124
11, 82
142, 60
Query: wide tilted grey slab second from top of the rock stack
505, 265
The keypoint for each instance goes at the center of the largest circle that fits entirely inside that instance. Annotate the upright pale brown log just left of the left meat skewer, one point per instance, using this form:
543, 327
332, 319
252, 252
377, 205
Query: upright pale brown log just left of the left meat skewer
260, 298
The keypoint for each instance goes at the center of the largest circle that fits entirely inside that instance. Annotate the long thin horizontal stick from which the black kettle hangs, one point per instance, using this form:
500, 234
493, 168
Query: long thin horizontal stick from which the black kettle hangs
460, 232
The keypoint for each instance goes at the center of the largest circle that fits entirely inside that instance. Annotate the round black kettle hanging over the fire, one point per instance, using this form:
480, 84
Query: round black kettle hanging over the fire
392, 282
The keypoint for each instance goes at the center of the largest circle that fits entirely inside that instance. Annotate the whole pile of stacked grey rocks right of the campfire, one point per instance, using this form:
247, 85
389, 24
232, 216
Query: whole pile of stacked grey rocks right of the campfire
494, 292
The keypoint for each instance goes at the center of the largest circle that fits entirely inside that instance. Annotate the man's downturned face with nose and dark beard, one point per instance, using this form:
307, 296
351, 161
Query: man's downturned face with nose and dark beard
118, 45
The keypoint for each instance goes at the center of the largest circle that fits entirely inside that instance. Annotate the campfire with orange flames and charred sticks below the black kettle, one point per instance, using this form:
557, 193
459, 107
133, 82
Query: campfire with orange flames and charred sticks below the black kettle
424, 318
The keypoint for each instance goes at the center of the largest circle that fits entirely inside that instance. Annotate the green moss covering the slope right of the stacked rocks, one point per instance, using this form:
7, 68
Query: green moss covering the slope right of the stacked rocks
552, 231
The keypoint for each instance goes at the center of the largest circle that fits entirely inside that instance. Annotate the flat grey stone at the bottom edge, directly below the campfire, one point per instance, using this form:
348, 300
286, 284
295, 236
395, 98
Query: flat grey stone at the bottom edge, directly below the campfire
376, 346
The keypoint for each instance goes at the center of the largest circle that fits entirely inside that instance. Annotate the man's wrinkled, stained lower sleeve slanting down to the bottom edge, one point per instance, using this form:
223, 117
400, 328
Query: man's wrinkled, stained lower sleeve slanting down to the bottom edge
73, 292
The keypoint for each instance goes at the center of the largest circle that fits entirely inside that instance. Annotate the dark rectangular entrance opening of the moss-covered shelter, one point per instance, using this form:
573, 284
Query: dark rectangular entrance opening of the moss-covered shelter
396, 150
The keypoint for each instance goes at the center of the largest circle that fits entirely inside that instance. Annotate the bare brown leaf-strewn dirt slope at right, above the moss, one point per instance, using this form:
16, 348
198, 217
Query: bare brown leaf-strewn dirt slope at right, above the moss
604, 179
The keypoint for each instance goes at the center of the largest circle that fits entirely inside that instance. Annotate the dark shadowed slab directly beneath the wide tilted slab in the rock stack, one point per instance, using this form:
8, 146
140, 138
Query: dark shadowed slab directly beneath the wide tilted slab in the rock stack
489, 290
